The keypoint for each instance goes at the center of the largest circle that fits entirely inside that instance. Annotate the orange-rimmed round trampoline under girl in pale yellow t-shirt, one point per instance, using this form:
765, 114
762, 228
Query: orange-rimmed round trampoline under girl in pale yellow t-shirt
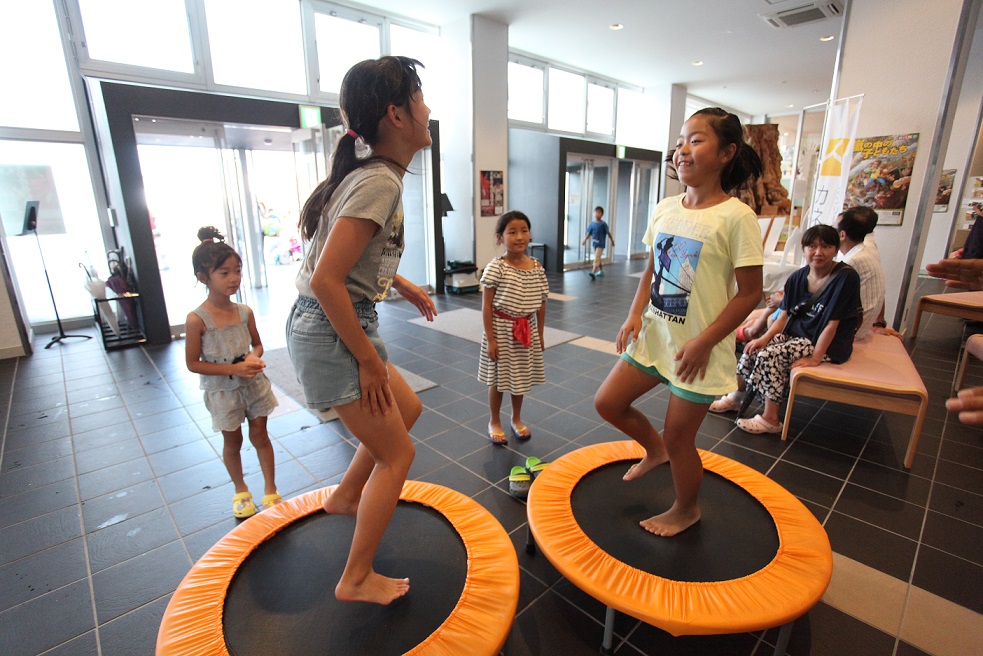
768, 559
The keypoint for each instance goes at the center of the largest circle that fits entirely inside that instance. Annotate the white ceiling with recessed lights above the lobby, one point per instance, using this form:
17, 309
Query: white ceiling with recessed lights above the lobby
748, 65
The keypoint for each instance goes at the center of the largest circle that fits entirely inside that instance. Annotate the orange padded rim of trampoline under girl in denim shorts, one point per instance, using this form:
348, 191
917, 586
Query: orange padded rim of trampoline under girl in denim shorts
479, 624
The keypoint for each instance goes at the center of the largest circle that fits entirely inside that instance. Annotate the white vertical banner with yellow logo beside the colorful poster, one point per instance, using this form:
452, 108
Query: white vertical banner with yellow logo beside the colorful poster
842, 117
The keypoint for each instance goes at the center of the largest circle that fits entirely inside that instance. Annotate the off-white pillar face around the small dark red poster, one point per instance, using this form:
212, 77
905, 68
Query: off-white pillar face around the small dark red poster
490, 94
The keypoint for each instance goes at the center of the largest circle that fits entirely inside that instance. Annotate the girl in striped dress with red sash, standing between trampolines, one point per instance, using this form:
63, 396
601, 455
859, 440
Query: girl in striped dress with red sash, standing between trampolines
513, 309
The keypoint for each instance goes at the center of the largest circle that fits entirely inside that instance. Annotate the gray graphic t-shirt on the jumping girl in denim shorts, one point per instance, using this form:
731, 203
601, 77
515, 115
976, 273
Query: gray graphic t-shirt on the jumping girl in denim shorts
373, 192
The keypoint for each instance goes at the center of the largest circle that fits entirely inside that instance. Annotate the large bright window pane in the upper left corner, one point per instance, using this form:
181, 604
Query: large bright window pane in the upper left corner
31, 49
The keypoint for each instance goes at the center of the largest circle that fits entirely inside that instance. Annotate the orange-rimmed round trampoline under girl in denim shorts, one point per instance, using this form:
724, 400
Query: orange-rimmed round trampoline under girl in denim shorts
267, 586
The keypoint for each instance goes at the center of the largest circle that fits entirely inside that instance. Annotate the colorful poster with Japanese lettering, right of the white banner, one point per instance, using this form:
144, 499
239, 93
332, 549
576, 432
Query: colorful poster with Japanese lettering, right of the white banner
880, 174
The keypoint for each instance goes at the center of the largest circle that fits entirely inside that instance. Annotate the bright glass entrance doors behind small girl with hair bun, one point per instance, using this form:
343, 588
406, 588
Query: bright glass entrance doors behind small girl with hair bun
243, 179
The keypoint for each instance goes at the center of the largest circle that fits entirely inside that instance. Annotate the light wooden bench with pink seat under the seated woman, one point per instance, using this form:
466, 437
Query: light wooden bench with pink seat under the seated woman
879, 374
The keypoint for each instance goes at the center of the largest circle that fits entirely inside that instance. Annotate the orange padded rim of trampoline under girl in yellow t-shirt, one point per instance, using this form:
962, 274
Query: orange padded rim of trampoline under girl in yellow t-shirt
783, 590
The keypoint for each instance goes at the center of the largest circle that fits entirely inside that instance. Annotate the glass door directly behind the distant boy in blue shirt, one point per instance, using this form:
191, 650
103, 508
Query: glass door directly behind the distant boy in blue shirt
588, 185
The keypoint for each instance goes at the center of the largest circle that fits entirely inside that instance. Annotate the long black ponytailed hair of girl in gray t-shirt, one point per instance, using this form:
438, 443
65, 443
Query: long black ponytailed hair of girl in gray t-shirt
367, 91
